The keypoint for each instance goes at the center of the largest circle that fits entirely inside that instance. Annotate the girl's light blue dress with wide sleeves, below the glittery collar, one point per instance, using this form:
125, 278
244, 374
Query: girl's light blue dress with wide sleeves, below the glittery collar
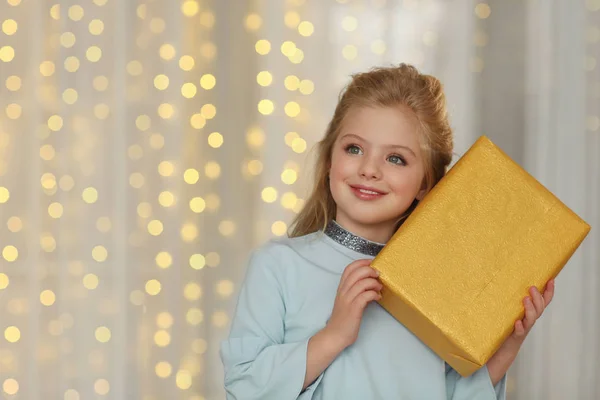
287, 296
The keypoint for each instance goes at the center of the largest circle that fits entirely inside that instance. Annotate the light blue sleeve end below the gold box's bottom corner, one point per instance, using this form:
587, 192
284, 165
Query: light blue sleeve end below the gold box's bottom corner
477, 386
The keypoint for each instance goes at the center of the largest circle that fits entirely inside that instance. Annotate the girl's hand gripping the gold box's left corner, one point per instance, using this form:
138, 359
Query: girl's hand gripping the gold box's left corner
358, 287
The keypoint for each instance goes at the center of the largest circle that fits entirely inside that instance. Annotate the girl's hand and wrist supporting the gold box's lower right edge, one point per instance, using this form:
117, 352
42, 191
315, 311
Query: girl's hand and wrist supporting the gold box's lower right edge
535, 304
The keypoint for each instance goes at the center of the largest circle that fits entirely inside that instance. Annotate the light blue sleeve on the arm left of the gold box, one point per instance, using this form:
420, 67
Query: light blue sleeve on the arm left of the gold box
257, 362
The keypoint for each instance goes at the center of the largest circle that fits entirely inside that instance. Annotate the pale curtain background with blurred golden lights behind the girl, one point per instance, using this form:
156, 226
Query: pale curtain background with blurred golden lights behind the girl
146, 146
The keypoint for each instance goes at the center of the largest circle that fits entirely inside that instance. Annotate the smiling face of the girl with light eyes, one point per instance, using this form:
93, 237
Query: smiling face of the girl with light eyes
376, 170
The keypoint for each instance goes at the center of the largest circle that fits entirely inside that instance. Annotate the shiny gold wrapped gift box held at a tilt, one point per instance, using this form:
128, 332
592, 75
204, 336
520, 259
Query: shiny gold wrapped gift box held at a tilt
457, 270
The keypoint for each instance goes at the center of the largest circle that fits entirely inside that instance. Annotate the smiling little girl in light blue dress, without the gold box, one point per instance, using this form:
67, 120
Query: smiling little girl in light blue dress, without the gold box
307, 324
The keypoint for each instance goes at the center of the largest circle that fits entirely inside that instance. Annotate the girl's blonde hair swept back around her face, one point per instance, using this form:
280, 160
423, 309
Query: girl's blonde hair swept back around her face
401, 86
